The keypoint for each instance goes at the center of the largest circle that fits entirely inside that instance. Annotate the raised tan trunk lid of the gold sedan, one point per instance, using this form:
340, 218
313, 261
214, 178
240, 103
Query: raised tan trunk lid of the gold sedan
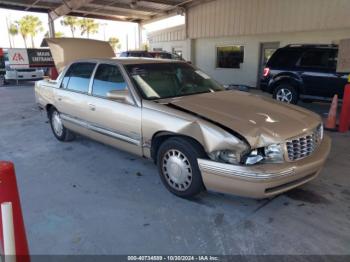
67, 50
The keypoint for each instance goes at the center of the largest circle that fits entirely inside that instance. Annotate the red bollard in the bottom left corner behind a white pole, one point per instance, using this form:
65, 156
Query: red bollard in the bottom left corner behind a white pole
9, 193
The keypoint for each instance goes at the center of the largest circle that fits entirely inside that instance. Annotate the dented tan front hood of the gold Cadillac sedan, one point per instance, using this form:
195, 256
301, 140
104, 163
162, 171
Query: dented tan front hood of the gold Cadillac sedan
261, 121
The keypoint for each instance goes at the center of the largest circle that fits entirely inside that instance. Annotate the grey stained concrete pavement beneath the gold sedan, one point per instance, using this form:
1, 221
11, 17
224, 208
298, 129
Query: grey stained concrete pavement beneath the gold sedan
87, 198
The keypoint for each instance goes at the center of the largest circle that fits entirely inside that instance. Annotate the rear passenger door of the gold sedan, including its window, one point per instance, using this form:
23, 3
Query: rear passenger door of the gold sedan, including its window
72, 96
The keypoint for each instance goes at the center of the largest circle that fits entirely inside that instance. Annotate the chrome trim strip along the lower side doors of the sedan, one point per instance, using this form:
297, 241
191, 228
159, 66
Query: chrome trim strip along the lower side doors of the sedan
101, 130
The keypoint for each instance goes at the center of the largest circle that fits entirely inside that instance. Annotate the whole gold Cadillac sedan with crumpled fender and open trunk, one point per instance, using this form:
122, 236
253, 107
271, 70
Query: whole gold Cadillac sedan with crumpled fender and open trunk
200, 135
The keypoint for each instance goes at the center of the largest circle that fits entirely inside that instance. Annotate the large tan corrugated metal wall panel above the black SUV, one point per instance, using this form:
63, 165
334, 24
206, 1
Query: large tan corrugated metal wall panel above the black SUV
246, 17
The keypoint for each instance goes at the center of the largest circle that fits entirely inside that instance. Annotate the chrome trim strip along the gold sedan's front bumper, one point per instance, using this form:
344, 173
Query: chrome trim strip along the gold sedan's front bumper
244, 172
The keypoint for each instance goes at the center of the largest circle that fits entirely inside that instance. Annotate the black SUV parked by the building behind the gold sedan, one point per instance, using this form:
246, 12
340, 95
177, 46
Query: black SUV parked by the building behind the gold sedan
306, 72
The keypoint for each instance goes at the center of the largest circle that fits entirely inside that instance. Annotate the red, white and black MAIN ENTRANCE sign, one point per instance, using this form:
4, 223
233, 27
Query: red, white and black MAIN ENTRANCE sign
31, 57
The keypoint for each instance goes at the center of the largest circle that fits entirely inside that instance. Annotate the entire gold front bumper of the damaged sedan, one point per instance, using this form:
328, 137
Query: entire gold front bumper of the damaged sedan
265, 180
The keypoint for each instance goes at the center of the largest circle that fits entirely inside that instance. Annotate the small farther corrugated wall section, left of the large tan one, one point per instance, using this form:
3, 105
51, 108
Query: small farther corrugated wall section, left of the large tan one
173, 34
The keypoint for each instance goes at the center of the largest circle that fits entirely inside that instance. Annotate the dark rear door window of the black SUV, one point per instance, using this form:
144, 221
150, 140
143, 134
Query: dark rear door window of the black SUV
316, 59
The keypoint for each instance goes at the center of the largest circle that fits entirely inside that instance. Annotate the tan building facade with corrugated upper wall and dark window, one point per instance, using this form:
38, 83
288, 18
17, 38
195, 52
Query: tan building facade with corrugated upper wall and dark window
232, 39
